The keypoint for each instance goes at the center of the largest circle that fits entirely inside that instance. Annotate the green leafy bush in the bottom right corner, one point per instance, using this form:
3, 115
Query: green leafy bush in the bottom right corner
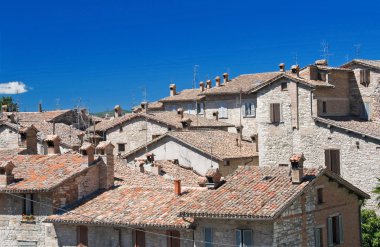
370, 228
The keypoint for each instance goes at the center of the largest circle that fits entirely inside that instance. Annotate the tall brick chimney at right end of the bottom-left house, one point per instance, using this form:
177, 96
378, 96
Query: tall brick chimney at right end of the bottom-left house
106, 173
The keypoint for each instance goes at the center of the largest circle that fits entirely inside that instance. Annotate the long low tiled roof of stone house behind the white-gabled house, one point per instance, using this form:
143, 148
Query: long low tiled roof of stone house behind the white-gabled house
169, 118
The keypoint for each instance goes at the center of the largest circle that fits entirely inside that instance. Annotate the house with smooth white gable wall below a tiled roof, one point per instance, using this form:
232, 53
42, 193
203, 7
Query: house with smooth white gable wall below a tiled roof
199, 150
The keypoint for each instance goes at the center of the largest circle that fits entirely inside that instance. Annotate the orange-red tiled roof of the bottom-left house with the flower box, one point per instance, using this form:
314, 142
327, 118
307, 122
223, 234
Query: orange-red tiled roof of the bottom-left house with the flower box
44, 172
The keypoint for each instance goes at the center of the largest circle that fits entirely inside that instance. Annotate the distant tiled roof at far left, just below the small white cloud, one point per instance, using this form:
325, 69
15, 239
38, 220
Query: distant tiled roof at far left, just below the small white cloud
38, 116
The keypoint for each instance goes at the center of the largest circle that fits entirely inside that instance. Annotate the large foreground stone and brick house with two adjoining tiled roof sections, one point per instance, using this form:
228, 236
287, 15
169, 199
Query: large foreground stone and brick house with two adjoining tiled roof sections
255, 206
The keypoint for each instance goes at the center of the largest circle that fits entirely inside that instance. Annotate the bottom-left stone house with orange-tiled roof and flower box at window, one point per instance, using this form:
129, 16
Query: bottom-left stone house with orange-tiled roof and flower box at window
35, 186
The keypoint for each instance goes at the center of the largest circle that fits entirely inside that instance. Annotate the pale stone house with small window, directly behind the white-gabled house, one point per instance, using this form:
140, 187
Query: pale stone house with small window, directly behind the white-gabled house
133, 130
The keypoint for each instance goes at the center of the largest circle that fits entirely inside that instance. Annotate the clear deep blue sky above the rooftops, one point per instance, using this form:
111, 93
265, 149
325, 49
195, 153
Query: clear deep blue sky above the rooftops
107, 52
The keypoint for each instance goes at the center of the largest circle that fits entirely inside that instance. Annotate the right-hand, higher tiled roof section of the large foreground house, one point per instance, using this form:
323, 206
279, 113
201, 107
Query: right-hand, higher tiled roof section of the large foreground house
257, 192
